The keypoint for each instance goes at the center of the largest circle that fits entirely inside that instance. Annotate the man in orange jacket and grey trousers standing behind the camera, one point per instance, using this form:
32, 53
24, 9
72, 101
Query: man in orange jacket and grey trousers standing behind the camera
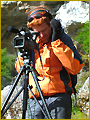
60, 61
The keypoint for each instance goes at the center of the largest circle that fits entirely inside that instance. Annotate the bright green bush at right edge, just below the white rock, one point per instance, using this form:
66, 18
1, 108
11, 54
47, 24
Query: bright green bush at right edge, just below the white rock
83, 37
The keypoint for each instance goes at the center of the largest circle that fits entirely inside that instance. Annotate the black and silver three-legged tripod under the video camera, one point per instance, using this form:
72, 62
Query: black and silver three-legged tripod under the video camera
26, 68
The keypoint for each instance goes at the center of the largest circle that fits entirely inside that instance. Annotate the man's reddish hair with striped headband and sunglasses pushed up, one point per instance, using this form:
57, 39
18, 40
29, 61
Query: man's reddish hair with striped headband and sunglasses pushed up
38, 15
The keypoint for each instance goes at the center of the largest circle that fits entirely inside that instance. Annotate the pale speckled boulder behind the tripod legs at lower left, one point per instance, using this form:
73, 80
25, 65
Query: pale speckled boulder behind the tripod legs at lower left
15, 110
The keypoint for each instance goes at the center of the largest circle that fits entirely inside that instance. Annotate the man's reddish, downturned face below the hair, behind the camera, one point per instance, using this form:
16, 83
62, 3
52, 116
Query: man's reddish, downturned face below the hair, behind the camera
45, 31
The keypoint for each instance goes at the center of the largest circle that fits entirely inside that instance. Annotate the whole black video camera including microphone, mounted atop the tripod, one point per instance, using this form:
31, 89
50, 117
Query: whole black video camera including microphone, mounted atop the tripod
24, 40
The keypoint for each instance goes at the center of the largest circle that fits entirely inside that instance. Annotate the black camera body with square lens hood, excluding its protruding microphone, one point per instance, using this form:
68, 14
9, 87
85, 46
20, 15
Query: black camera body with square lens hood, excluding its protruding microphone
23, 41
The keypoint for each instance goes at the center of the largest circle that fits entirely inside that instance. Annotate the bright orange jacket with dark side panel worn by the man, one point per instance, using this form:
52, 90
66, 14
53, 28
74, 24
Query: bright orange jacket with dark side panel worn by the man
58, 63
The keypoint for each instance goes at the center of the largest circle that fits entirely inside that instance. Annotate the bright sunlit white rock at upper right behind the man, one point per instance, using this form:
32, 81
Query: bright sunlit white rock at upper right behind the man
72, 15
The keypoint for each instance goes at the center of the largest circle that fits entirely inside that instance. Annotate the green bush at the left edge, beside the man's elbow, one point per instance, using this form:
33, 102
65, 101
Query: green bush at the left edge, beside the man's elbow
7, 67
